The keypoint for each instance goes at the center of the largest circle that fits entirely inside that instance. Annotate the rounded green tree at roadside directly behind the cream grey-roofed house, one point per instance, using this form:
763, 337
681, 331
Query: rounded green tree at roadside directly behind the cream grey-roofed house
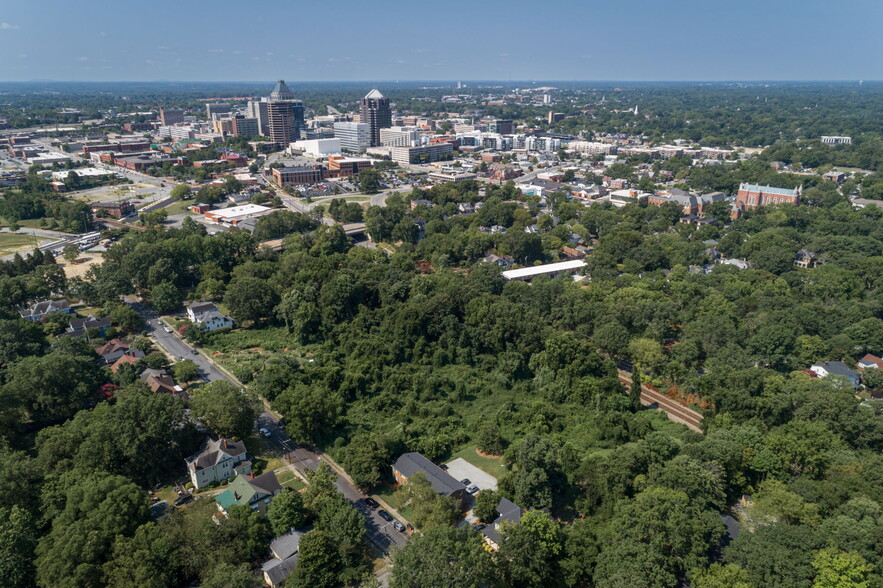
225, 409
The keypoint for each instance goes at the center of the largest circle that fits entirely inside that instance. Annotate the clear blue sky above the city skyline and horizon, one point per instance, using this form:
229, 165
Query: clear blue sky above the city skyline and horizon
377, 40
